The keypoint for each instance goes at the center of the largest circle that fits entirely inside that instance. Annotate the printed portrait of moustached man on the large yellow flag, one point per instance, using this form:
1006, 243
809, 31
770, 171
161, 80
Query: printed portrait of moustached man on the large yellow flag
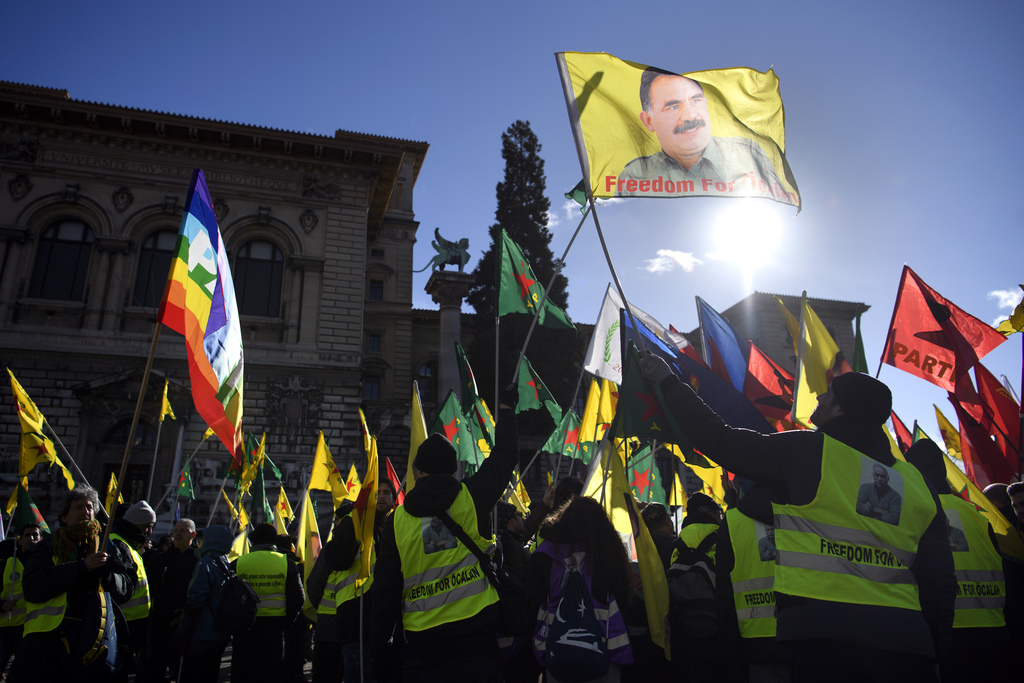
675, 109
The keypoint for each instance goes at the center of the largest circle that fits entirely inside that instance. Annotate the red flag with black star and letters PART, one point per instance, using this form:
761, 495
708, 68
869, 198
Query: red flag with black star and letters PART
932, 338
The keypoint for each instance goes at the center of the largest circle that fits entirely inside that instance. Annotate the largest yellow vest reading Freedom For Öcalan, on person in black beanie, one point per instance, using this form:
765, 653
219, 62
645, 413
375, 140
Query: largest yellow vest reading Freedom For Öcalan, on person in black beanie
830, 551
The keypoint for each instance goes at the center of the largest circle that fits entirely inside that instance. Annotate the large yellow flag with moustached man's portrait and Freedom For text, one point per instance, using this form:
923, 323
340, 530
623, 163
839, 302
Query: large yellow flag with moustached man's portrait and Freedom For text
629, 146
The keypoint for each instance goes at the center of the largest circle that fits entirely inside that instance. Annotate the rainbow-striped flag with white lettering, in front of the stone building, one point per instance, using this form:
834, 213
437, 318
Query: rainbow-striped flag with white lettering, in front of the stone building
199, 303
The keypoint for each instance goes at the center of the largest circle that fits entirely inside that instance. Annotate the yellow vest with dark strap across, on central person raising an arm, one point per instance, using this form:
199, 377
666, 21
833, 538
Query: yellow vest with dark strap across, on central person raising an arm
443, 580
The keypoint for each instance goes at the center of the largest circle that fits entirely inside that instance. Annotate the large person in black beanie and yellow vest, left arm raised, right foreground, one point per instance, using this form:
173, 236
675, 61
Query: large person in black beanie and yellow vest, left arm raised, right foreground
858, 597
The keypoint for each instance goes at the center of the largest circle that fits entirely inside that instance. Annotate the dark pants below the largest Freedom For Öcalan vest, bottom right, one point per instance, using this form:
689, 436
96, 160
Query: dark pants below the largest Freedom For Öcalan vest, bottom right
818, 661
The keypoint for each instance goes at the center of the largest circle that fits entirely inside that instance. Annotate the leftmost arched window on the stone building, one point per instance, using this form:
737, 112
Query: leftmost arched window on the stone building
62, 262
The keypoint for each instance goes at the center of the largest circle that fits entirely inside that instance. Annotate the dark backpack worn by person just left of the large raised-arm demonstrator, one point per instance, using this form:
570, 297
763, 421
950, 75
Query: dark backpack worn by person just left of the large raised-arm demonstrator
693, 607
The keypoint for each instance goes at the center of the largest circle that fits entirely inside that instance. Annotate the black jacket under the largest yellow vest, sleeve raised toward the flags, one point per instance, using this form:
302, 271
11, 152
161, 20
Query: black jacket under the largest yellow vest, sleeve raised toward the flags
791, 464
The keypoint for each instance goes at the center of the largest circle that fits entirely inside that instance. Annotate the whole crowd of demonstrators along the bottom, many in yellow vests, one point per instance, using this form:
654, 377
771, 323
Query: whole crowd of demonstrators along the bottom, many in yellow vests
837, 562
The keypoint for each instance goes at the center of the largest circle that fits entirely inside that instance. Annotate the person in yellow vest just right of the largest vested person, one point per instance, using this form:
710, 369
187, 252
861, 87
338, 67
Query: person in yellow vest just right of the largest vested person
979, 625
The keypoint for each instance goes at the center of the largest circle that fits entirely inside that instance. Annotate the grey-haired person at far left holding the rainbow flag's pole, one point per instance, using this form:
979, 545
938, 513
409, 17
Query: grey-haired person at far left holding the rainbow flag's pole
61, 576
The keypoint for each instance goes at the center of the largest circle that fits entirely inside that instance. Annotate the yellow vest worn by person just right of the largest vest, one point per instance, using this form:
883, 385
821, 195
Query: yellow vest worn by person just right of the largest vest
982, 589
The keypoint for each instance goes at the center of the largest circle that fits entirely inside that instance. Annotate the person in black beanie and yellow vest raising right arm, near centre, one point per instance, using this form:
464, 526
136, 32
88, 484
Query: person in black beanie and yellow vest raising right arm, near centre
428, 580
